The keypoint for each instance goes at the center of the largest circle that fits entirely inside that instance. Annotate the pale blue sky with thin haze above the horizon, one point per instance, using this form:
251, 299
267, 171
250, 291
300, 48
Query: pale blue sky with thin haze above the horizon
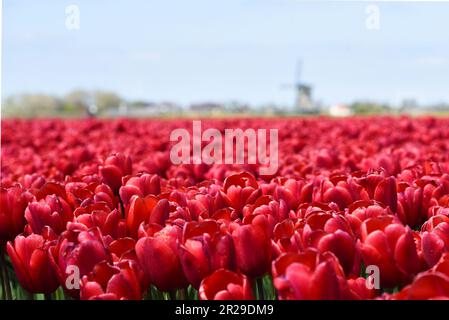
221, 51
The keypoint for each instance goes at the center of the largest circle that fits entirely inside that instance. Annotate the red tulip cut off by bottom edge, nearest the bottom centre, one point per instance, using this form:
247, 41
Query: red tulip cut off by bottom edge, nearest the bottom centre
225, 285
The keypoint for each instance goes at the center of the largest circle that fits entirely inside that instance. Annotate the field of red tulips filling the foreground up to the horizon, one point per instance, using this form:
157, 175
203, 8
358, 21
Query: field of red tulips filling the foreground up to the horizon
95, 209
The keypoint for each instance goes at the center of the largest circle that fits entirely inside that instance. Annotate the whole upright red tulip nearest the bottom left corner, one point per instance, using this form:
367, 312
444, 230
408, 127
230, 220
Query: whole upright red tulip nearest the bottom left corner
31, 264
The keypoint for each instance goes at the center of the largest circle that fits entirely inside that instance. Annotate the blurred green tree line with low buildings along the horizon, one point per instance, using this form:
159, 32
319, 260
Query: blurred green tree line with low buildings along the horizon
80, 103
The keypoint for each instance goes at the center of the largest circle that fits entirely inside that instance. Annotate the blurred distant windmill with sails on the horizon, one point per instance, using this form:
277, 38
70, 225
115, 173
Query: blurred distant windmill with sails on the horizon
303, 100
